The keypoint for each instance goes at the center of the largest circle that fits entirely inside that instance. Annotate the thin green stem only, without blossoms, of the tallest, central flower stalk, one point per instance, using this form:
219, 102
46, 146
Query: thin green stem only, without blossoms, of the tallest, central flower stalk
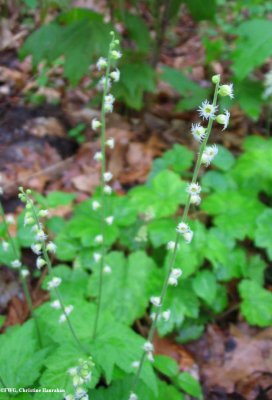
103, 202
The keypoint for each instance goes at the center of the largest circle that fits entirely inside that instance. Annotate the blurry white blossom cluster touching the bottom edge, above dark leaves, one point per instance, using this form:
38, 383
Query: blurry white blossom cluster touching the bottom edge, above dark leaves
81, 375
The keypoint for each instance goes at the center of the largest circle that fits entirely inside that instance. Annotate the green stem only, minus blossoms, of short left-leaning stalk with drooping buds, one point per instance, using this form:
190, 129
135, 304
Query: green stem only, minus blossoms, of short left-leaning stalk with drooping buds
57, 292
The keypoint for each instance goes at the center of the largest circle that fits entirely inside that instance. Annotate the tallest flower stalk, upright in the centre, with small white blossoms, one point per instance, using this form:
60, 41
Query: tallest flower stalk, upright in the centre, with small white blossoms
107, 106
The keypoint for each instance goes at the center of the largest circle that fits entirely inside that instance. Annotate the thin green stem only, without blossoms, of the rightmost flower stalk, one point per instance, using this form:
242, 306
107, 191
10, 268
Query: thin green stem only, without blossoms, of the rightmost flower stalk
173, 258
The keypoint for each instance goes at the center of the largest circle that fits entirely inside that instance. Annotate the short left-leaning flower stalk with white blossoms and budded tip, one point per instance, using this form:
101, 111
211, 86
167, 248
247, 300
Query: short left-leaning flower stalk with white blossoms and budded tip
42, 248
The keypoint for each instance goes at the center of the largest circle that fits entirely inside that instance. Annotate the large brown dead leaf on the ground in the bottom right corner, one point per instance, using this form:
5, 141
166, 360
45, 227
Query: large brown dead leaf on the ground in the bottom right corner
235, 363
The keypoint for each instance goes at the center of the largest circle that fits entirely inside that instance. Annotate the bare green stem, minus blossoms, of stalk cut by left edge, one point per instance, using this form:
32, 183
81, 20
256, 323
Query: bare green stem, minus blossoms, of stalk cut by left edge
22, 279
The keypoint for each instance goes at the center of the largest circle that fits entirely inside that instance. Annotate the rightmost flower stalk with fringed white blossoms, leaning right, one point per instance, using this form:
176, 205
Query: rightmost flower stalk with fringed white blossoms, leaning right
205, 156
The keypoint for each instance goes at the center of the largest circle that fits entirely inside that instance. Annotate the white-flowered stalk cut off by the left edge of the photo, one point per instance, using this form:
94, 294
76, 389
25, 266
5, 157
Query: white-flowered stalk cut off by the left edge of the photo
23, 271
